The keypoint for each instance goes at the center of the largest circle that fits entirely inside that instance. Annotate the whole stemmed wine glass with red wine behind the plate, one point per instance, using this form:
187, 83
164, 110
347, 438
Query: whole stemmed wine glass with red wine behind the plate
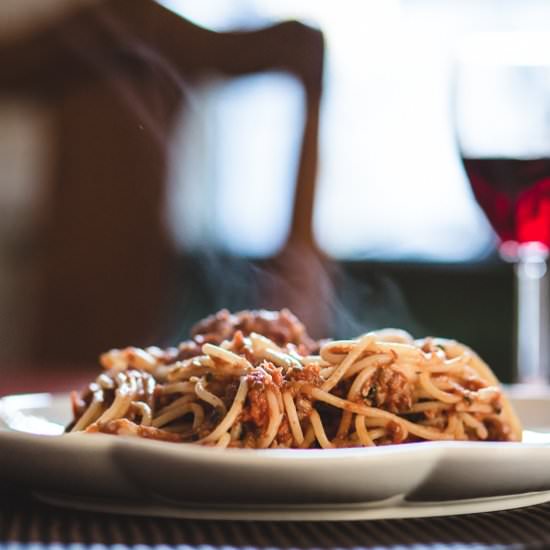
501, 97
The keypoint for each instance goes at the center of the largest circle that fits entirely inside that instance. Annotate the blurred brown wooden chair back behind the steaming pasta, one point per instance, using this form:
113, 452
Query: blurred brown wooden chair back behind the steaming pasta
114, 73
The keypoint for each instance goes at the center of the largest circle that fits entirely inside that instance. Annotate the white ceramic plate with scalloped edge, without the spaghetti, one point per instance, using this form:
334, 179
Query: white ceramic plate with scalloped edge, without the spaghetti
136, 476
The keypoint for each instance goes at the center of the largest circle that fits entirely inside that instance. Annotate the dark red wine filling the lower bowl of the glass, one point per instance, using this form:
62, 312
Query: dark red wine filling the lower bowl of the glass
514, 194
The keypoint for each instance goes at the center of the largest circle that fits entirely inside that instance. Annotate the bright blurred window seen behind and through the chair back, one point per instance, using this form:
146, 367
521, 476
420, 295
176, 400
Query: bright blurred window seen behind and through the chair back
391, 185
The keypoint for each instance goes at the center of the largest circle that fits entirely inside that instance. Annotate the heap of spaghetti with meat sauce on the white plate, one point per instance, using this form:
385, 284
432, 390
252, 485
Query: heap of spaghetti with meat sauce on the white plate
256, 380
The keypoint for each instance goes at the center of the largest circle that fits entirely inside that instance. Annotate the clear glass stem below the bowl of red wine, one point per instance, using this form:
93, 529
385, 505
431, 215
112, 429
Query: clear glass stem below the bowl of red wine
532, 300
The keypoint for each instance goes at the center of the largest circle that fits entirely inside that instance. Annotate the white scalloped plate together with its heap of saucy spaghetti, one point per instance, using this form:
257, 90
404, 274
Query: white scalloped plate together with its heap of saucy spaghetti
252, 413
